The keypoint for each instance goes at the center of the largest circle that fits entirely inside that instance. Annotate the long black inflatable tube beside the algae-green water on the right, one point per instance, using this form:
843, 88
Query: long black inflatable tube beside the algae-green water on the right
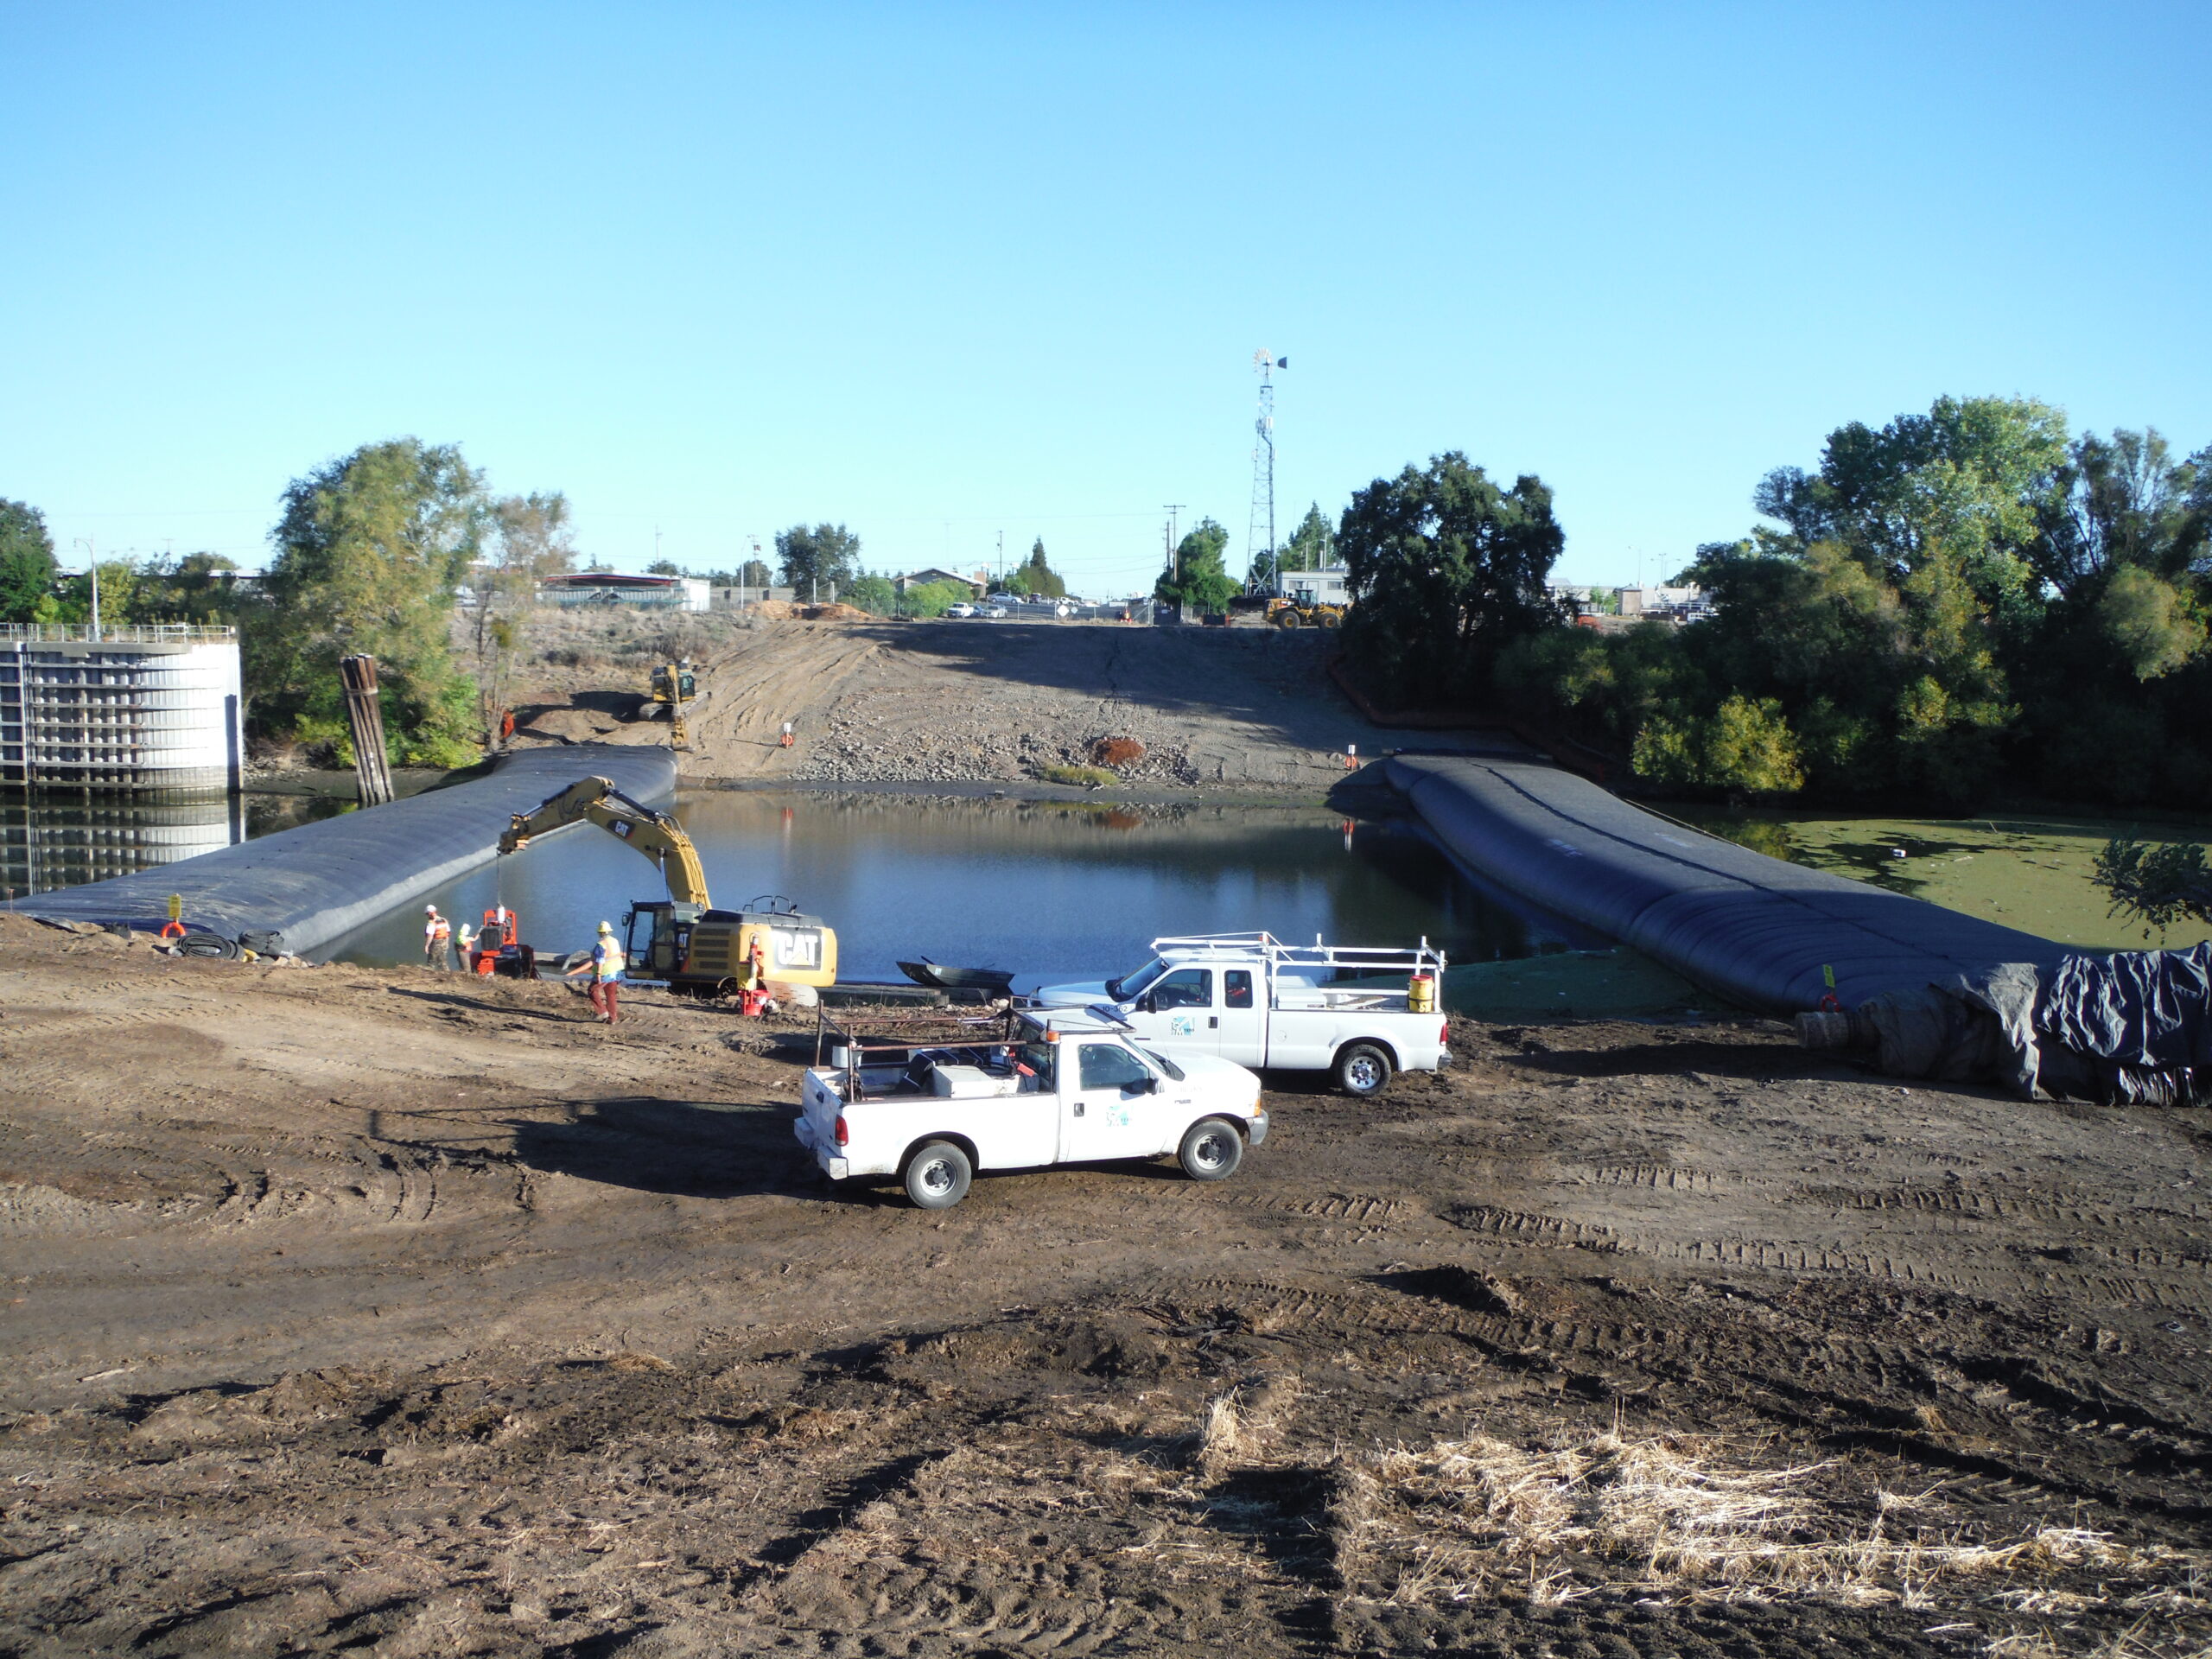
1751, 928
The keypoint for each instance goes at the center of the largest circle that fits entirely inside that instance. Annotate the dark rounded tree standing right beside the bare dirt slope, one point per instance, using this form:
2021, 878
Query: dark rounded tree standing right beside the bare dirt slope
1446, 572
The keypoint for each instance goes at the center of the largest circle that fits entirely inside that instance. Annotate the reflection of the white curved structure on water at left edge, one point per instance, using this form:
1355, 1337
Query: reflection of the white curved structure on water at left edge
70, 837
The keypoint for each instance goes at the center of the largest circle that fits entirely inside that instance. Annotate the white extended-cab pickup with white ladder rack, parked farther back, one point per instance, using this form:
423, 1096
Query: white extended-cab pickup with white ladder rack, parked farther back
1293, 1008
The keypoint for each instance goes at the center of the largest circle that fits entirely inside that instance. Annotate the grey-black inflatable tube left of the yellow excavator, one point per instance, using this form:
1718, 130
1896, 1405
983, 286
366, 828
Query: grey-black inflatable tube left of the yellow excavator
326, 879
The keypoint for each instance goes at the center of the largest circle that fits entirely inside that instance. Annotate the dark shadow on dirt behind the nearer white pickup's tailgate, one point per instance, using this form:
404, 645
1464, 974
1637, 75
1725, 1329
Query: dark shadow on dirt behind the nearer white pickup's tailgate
691, 1149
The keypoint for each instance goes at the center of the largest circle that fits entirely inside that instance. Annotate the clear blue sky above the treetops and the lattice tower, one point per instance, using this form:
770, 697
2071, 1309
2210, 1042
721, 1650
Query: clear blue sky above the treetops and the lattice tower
954, 271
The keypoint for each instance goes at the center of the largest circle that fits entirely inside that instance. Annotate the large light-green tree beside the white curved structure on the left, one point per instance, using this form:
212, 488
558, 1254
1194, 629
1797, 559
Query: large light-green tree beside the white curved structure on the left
368, 554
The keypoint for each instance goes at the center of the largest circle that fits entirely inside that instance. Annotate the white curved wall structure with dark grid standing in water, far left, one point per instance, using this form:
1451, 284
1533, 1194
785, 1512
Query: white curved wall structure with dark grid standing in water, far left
132, 709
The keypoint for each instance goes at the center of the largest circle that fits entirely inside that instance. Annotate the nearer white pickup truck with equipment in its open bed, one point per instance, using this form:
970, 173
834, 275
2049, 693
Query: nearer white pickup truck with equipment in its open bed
1014, 1094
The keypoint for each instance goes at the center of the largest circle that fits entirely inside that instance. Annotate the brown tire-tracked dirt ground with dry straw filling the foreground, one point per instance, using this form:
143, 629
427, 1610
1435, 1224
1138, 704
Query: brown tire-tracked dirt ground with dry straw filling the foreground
415, 1315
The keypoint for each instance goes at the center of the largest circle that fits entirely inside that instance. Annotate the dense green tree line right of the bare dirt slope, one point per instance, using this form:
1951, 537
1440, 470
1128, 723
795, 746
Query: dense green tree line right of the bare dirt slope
1950, 605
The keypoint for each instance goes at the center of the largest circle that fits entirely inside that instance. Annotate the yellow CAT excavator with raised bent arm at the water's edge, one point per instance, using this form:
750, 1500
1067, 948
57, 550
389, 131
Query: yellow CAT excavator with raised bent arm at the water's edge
685, 939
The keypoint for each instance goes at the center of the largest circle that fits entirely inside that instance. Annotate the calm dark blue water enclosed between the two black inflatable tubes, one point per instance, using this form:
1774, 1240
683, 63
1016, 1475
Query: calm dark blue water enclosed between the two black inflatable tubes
1039, 888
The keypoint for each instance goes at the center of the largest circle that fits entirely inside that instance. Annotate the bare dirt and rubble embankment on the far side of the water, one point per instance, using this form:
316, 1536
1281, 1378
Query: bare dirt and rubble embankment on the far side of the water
983, 700
